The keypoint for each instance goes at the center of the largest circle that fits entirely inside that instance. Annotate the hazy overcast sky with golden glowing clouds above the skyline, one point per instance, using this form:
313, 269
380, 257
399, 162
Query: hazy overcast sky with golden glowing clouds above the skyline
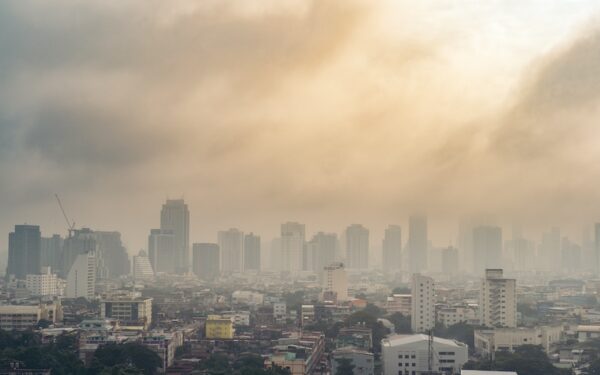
324, 112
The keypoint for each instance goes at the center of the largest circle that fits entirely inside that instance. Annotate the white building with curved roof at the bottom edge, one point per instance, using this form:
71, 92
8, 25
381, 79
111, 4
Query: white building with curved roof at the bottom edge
408, 355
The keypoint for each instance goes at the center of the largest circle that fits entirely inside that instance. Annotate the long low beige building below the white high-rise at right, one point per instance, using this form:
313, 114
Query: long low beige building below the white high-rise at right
489, 341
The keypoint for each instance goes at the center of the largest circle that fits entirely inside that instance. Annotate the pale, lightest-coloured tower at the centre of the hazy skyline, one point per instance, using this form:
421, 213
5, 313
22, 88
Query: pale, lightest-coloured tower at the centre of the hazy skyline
292, 246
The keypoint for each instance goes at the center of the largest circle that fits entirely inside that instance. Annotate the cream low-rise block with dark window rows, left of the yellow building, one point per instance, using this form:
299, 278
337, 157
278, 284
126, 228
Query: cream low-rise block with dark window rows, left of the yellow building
130, 312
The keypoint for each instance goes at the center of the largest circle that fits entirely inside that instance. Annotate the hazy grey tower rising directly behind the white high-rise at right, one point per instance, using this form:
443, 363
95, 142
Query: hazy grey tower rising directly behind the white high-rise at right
487, 248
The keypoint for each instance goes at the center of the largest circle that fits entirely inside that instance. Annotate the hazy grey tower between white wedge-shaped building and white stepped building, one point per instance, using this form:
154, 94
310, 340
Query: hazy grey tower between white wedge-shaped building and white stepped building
112, 259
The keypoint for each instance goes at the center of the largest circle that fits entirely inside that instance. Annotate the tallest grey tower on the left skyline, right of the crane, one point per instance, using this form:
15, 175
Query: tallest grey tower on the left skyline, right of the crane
175, 216
